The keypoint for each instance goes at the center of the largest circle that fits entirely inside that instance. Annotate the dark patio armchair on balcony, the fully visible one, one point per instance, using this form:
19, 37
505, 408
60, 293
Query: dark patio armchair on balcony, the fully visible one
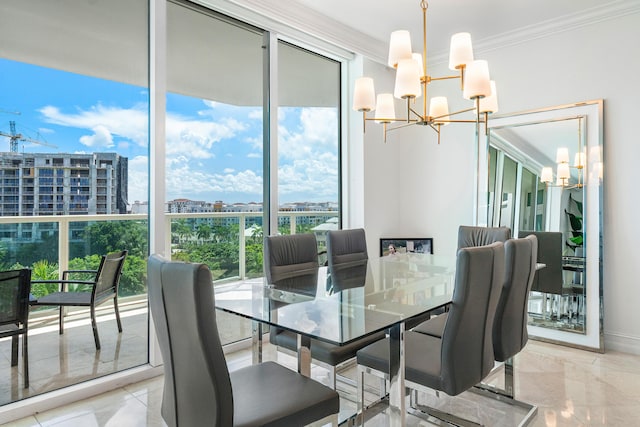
103, 284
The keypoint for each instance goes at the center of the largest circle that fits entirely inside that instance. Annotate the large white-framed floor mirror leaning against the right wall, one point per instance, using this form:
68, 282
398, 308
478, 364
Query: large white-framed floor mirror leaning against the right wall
542, 172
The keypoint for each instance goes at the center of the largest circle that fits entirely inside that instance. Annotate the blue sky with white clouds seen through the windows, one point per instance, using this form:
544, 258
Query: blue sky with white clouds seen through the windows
214, 151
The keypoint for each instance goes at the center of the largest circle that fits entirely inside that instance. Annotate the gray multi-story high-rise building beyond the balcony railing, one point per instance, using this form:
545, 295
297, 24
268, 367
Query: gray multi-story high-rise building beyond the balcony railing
62, 184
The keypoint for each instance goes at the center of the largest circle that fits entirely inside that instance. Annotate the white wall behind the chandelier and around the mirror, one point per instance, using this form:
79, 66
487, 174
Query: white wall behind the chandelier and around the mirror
434, 186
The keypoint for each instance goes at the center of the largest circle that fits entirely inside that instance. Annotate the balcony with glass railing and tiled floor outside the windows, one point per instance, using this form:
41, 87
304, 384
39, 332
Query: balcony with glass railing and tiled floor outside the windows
58, 361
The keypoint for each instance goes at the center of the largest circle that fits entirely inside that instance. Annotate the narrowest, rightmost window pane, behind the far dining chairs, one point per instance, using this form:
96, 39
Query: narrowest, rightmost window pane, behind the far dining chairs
308, 142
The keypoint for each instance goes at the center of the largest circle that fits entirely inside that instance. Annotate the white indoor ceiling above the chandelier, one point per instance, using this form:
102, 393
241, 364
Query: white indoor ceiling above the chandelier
486, 20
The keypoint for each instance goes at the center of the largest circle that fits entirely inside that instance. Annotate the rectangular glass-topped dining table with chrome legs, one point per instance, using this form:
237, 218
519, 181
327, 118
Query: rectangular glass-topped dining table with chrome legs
345, 303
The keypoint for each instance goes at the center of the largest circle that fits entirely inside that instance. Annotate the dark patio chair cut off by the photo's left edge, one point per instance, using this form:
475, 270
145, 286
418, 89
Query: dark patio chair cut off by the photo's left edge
15, 286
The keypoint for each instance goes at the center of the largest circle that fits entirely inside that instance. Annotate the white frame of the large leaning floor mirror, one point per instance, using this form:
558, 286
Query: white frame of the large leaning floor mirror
592, 112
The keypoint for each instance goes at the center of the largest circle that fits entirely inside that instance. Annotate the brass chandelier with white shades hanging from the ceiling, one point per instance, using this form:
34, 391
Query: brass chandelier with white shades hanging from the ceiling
412, 81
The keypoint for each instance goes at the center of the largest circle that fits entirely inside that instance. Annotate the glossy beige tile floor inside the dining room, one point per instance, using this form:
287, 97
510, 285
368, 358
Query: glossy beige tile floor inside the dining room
571, 388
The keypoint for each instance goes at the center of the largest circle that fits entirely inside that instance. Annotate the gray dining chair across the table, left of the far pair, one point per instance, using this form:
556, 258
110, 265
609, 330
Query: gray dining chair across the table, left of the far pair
289, 262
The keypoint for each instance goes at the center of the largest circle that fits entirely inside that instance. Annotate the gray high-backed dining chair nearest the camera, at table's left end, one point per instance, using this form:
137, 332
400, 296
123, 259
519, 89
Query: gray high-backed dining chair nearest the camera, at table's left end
198, 388
